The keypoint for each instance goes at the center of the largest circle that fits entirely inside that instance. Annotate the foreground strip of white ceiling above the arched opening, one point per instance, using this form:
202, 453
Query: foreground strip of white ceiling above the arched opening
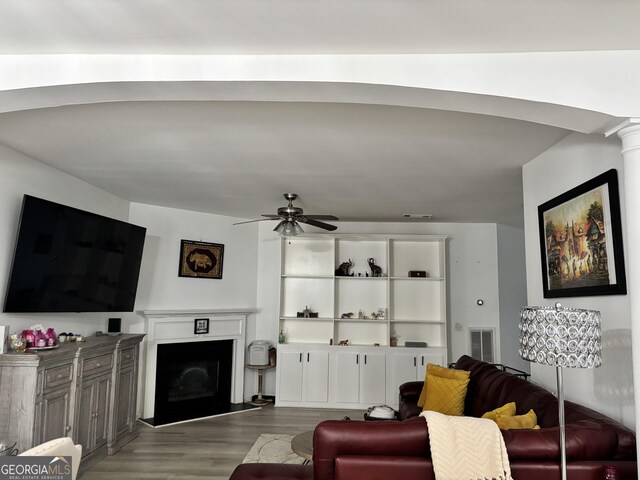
316, 26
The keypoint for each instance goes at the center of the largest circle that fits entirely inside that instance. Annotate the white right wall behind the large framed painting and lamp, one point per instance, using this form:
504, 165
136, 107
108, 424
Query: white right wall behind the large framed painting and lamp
572, 161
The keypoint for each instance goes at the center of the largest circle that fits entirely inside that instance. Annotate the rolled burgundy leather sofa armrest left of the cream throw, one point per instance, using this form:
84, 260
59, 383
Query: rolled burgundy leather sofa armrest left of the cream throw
335, 438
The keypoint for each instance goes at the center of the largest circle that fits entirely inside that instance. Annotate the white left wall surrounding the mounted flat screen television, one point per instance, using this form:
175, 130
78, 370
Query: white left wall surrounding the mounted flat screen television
21, 175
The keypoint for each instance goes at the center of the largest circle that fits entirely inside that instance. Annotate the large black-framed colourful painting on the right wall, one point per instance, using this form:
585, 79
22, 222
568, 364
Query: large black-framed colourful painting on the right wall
581, 240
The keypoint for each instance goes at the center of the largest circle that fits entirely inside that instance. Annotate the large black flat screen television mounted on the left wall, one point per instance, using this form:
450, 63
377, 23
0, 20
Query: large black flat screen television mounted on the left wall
70, 260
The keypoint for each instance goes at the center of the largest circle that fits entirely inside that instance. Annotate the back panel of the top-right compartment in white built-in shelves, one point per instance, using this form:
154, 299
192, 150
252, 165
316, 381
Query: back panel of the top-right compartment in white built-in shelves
409, 255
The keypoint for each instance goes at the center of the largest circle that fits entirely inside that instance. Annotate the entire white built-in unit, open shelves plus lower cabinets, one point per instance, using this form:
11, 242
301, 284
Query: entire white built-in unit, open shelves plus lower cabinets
318, 309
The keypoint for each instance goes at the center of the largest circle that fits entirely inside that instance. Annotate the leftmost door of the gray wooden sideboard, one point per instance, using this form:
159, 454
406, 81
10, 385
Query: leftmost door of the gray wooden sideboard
53, 417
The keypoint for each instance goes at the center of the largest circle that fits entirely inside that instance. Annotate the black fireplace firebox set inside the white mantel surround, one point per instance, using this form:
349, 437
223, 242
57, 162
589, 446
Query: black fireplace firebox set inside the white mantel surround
193, 380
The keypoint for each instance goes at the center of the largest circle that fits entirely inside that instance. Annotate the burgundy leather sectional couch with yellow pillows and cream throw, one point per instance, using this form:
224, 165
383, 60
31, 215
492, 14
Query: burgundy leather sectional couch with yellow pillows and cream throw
354, 450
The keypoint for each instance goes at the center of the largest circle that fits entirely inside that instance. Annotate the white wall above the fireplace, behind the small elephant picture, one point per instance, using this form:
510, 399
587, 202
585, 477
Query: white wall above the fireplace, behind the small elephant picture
160, 287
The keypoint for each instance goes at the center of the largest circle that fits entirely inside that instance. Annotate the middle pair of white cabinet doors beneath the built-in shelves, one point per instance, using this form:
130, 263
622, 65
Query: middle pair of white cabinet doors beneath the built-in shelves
358, 378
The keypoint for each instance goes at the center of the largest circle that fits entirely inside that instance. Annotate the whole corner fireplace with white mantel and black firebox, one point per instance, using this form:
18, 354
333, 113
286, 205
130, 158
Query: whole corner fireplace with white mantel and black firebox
213, 374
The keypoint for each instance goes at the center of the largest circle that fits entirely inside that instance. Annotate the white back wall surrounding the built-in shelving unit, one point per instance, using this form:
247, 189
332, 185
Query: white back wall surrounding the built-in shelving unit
472, 266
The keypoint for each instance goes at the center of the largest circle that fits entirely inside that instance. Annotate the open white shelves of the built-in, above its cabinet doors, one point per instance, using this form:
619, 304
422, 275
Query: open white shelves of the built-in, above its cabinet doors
415, 308
